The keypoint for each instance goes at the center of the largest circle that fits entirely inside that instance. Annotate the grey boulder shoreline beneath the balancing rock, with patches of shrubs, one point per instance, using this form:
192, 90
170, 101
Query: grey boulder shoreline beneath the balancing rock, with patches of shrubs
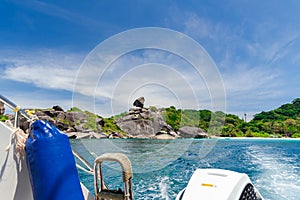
139, 122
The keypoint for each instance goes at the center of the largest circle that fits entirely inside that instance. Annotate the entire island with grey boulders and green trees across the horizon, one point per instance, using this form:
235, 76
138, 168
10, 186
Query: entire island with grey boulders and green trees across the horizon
169, 123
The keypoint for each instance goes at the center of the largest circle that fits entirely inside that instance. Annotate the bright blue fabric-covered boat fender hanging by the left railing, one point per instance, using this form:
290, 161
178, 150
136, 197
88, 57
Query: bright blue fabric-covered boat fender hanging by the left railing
52, 170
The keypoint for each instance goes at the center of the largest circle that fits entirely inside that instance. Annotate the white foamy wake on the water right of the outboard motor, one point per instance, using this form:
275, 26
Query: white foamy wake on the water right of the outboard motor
278, 172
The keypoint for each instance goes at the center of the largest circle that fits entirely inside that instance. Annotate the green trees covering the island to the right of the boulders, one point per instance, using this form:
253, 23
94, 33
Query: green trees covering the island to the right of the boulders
281, 122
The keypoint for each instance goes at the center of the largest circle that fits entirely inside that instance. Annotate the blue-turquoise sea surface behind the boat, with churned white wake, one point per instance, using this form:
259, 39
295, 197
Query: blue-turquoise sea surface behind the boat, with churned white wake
163, 167
